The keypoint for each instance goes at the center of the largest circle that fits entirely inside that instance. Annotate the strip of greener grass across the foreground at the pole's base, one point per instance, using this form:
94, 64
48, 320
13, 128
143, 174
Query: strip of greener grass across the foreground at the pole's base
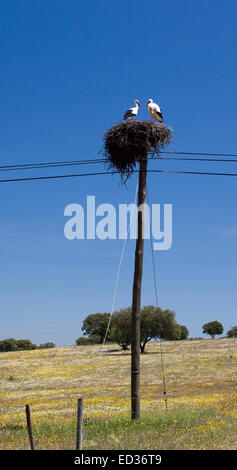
171, 429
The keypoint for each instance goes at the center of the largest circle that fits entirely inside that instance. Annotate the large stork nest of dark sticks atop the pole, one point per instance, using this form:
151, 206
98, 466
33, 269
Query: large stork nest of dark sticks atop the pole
128, 142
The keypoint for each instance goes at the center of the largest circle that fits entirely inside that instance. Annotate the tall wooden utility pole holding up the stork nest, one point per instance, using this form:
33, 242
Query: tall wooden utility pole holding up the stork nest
136, 302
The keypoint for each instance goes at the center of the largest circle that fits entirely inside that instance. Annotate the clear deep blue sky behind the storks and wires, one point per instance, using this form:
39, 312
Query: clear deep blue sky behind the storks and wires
69, 70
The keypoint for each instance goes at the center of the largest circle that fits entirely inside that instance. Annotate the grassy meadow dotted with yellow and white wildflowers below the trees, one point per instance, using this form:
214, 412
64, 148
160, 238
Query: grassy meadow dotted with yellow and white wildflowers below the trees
201, 383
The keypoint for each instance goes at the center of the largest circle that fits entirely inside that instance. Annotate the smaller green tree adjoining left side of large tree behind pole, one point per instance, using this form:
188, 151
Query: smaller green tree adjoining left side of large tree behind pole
96, 325
